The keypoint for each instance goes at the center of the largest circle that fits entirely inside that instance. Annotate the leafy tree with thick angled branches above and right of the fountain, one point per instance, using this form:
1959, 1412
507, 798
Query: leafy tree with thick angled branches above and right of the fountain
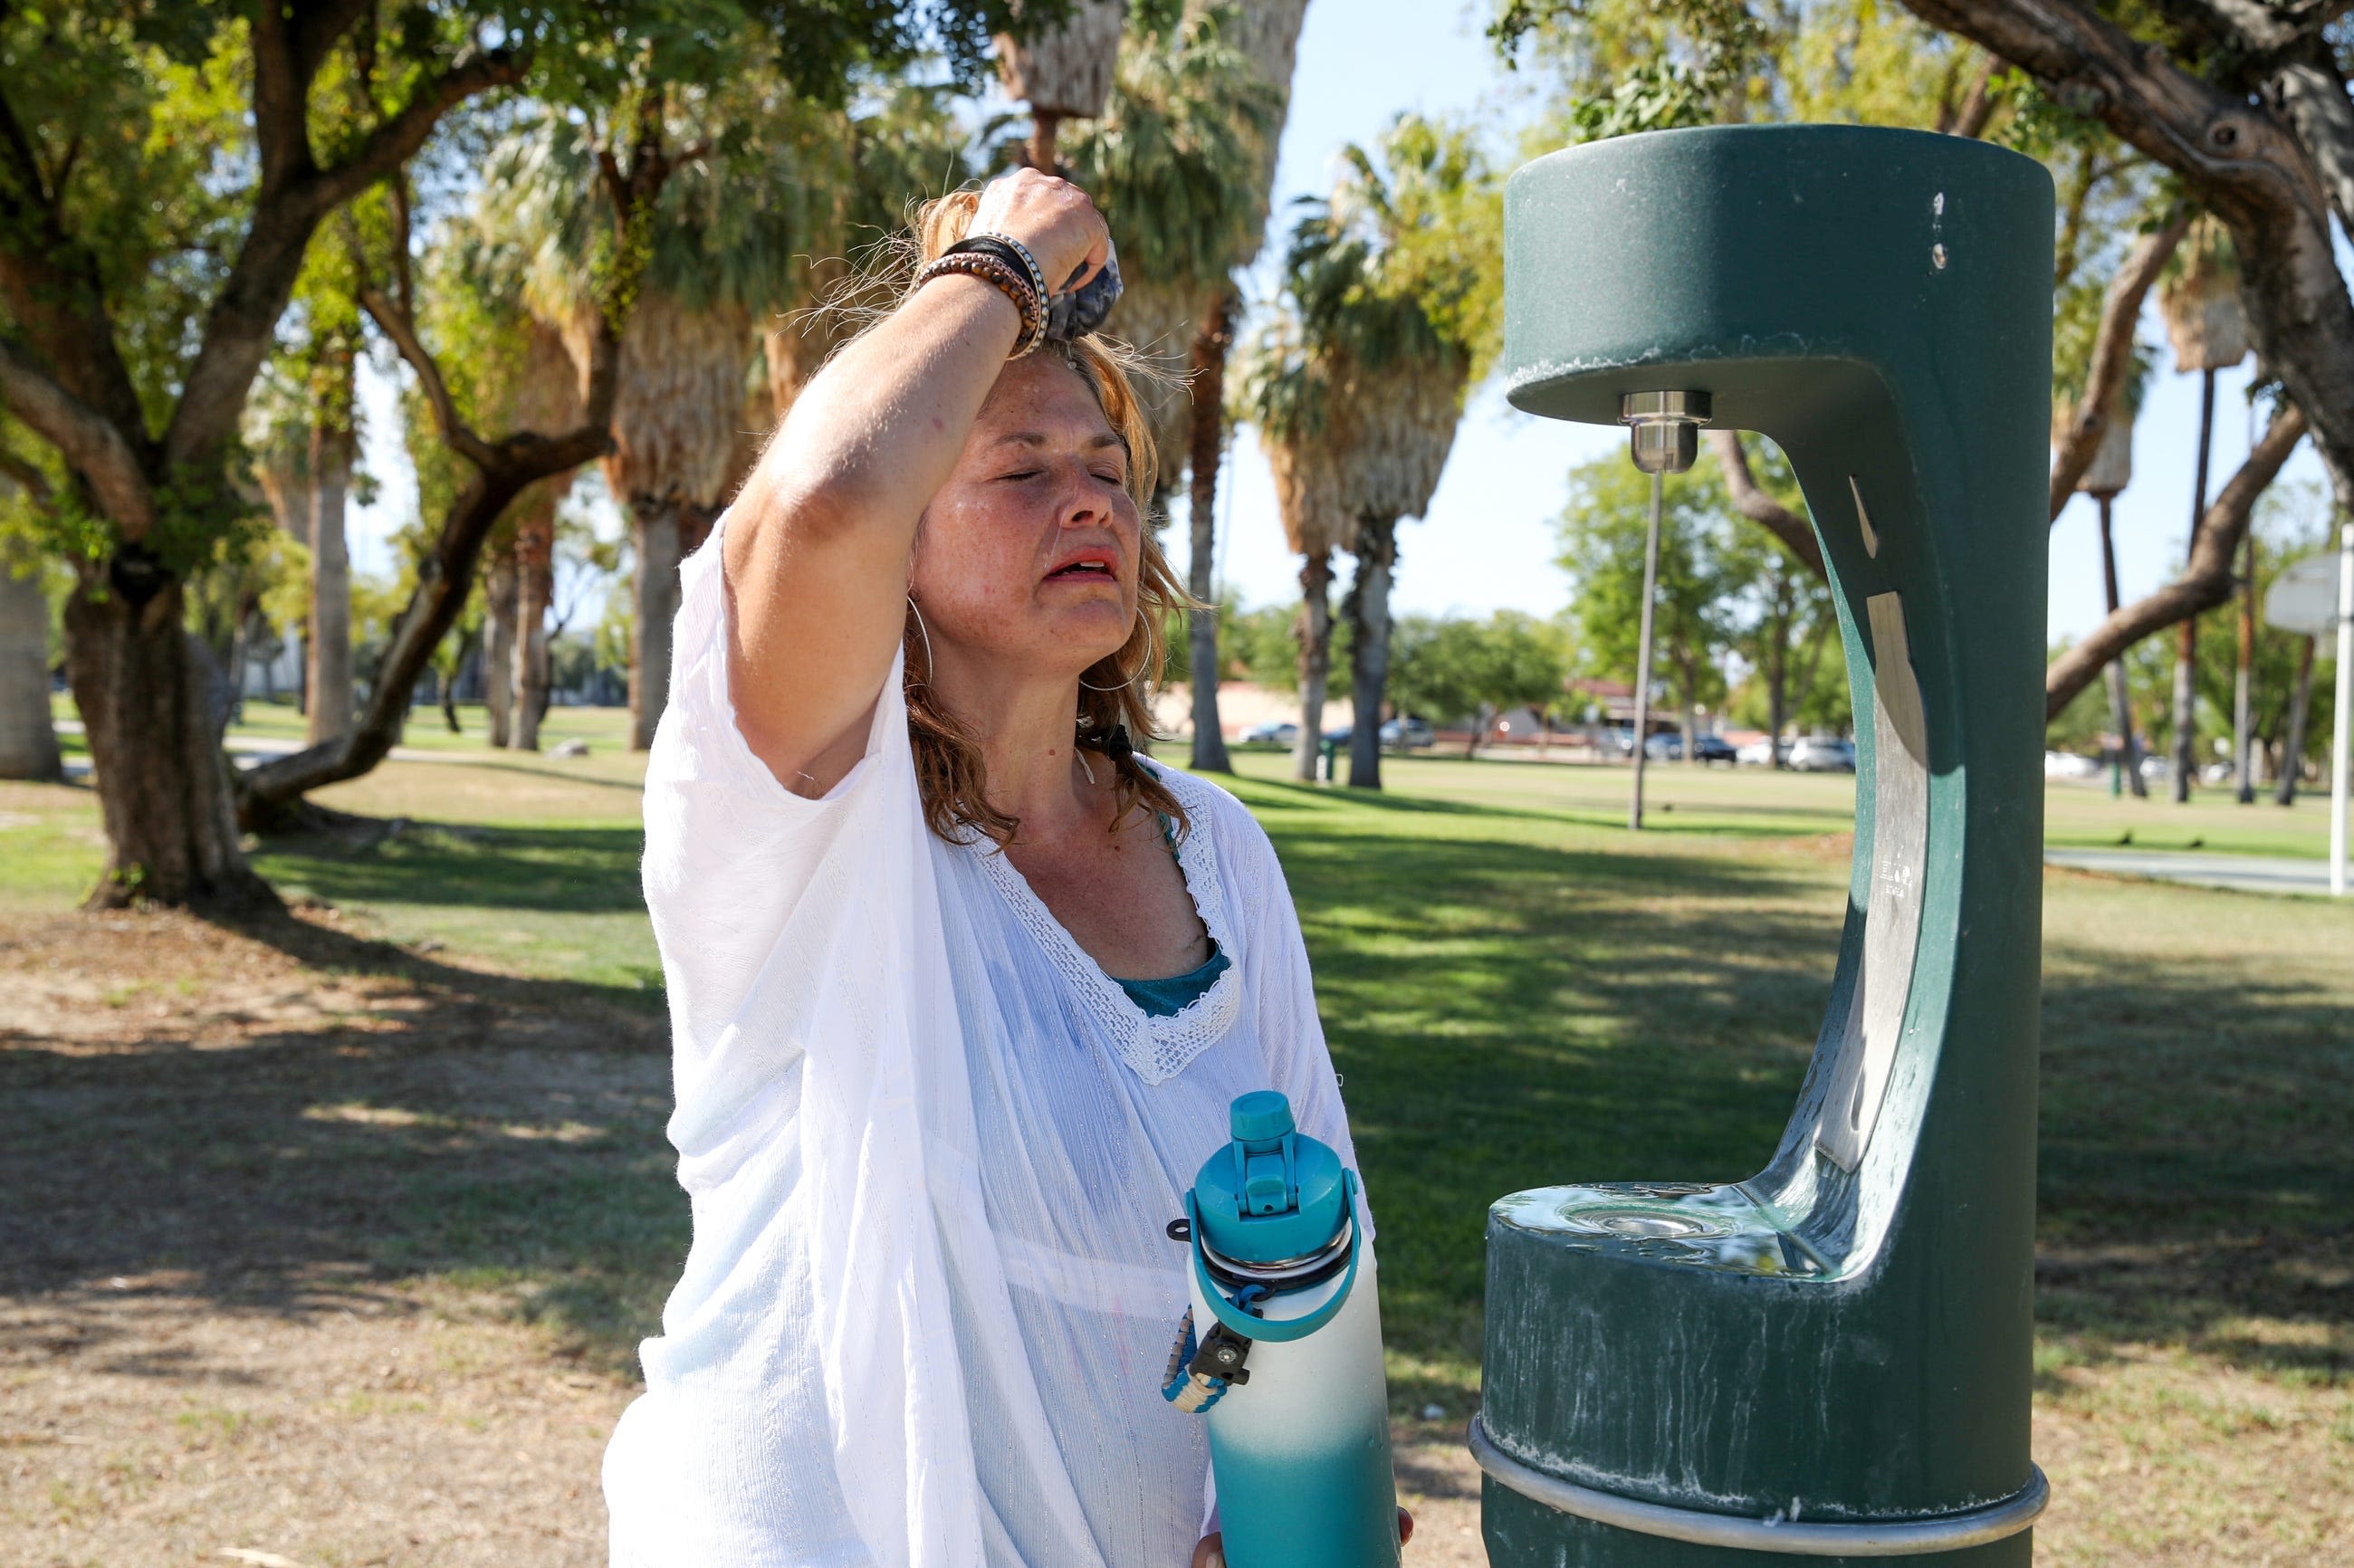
2117, 147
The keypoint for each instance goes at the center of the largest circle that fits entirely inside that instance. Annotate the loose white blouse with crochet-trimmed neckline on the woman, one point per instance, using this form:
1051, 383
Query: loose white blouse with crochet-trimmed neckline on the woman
931, 1152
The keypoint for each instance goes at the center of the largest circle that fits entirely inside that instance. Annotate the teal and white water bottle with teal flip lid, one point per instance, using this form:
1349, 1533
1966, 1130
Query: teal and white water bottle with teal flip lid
1282, 1350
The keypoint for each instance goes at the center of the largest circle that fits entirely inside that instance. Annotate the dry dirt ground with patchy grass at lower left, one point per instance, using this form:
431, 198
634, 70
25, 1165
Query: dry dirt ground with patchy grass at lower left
204, 1362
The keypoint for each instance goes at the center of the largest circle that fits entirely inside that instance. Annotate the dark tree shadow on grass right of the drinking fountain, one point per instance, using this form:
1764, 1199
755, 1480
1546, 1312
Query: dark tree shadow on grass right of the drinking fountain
2195, 1181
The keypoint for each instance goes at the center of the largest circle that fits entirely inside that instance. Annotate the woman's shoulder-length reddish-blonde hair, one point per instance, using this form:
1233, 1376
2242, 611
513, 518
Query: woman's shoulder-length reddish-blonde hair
1115, 691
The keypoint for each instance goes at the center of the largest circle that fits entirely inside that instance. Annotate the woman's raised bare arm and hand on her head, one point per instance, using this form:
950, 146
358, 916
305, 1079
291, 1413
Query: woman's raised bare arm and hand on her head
818, 545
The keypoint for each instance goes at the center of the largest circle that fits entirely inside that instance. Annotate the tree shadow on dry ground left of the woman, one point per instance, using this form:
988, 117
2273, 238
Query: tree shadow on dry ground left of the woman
479, 1134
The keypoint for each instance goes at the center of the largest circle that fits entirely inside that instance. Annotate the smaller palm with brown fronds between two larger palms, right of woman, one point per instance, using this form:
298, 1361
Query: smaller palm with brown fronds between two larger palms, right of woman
1284, 394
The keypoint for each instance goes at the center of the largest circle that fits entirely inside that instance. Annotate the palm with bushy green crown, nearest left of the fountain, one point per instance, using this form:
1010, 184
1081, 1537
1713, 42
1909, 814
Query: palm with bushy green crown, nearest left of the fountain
1399, 293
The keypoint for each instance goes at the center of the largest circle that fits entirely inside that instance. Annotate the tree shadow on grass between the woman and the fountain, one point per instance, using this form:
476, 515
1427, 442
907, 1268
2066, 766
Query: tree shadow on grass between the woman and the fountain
1510, 1016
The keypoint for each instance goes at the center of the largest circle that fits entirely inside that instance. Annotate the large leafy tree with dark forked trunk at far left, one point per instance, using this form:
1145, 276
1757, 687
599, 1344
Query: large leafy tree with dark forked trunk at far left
164, 173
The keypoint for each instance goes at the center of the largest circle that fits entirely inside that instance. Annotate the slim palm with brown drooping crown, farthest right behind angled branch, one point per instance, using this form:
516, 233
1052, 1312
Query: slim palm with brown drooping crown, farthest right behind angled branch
2209, 333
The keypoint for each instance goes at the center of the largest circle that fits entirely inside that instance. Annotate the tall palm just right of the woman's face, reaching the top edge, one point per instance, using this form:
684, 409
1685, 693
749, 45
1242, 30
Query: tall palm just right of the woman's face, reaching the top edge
1176, 164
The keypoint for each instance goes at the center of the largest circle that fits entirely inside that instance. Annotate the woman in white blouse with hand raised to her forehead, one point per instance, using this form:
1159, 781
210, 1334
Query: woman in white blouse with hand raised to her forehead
898, 851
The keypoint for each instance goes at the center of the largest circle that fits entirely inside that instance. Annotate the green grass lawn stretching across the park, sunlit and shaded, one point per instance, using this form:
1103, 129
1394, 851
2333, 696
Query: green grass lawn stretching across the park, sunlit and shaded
1517, 992
